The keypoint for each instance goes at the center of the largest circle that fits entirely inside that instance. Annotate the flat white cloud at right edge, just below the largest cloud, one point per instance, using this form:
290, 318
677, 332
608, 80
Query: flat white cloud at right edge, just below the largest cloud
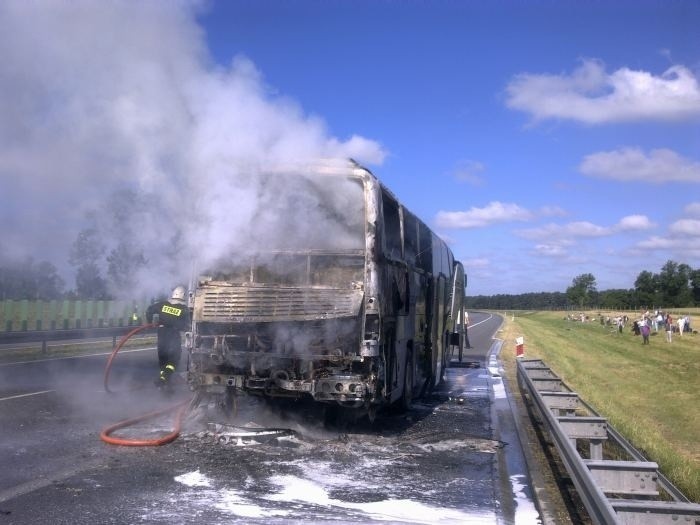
632, 164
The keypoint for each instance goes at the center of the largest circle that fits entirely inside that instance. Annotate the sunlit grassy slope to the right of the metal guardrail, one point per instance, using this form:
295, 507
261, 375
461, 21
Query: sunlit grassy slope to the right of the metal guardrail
649, 393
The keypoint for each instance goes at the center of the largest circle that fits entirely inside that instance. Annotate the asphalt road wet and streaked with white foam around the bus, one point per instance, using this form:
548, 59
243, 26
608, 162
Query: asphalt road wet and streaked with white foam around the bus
453, 458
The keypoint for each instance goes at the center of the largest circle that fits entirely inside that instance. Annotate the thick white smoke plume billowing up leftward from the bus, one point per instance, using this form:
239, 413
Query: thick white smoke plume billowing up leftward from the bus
117, 108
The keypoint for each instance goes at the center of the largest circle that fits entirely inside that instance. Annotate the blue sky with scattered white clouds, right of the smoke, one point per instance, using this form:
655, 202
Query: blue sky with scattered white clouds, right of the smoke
437, 85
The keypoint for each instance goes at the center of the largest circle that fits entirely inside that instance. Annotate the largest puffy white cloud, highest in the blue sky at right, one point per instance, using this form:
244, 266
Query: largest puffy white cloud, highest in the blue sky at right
592, 96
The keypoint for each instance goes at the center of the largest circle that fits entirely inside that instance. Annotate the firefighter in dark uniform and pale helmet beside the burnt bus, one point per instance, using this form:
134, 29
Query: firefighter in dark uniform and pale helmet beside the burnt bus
173, 318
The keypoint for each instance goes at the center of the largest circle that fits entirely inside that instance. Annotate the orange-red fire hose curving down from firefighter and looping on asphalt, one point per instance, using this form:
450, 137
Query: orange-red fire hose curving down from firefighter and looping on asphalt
181, 408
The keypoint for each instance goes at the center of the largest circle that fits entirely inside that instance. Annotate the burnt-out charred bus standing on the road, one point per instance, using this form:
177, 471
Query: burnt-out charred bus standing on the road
363, 316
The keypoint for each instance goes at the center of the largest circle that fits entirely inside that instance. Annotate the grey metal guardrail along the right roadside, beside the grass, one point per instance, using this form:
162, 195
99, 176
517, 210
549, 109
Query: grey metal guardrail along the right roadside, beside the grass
613, 491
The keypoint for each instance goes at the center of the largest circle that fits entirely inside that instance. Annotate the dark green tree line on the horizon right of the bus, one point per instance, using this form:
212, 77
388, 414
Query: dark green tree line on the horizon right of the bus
676, 285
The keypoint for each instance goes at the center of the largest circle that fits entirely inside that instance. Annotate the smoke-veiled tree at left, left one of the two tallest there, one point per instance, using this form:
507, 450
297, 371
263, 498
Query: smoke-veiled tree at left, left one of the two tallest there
85, 255
